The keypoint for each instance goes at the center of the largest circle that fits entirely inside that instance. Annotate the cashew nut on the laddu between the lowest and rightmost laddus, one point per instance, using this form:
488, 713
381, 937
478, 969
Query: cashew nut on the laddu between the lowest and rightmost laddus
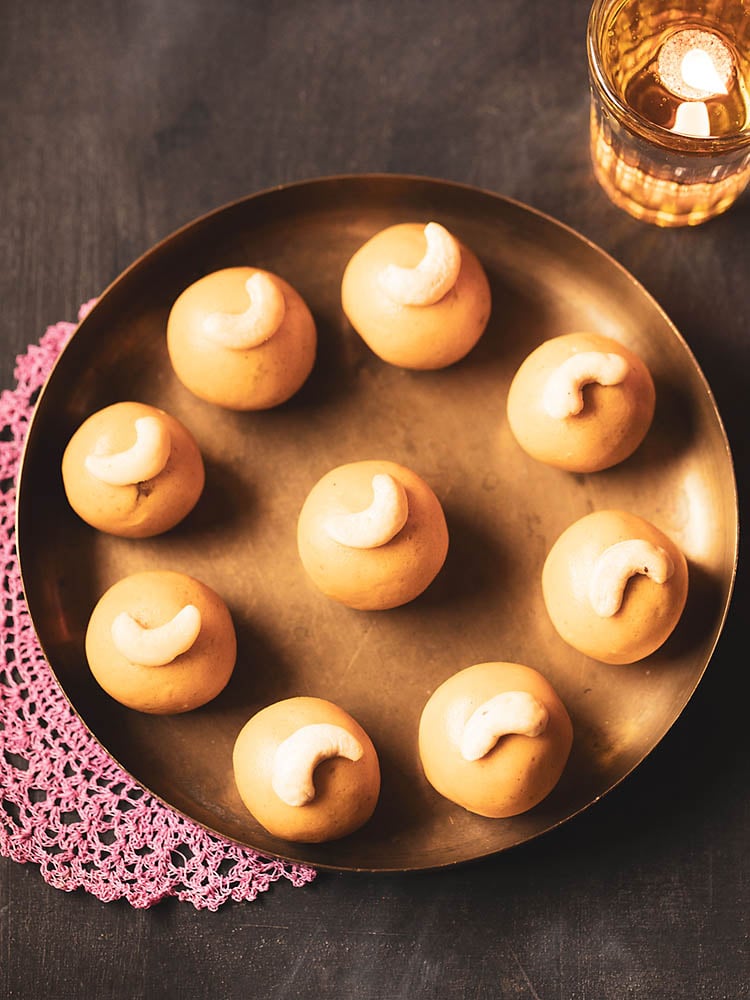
509, 712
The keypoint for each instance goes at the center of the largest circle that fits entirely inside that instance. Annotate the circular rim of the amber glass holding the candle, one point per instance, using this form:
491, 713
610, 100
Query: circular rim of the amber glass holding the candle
636, 123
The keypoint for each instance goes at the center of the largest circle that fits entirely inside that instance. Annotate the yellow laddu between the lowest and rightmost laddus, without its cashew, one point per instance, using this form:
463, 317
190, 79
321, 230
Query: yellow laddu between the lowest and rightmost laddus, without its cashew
519, 770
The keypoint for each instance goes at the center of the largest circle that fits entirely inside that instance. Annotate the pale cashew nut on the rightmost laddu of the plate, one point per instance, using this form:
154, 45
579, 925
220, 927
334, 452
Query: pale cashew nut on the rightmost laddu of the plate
617, 564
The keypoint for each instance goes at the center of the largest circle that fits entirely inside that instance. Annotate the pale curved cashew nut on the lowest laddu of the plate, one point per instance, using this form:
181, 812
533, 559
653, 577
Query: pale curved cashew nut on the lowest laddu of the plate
298, 756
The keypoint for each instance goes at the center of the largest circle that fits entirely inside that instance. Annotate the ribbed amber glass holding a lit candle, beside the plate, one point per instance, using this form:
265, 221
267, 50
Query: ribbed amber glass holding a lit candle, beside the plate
670, 109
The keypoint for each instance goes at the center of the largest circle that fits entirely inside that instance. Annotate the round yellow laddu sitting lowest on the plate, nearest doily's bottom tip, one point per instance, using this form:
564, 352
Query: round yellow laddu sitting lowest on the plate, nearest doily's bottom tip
344, 791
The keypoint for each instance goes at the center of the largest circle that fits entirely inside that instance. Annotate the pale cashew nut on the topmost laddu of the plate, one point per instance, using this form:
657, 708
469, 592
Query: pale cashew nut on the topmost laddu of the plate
432, 278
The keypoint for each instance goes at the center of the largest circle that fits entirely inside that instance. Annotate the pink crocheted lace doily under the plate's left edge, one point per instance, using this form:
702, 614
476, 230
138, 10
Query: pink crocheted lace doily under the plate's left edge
65, 804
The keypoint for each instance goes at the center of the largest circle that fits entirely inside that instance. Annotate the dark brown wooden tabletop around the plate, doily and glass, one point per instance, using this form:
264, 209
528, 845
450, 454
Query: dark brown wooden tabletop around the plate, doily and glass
121, 122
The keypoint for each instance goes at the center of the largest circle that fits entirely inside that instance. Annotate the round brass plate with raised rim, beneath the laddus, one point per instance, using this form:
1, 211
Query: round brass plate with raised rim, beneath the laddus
504, 511
